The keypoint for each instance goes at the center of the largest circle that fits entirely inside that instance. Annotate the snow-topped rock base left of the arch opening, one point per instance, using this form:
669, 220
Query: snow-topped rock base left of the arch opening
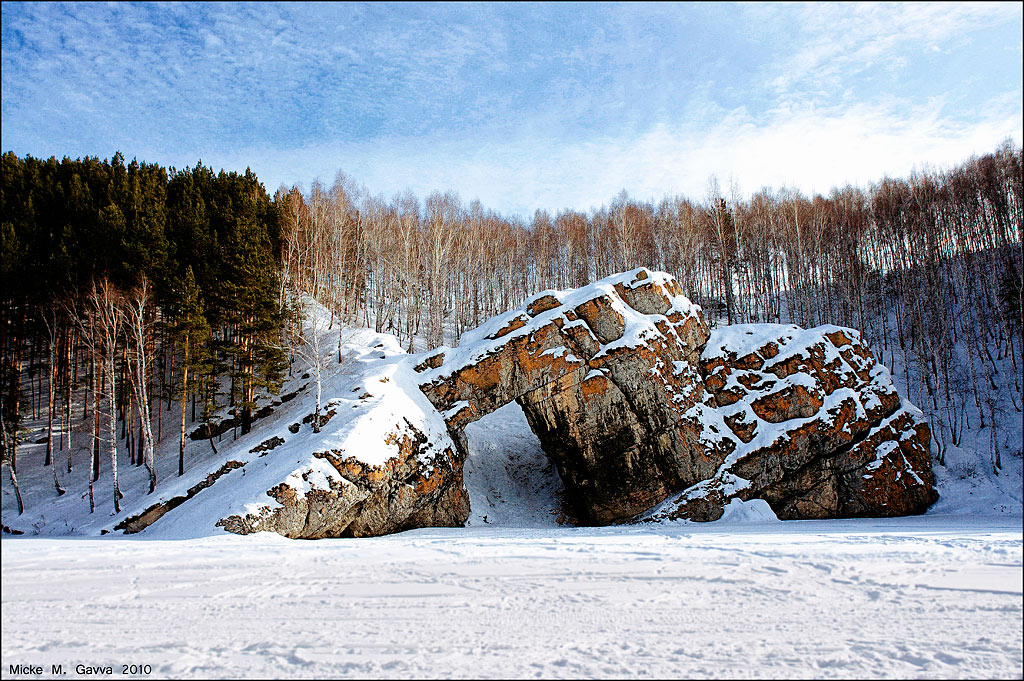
383, 462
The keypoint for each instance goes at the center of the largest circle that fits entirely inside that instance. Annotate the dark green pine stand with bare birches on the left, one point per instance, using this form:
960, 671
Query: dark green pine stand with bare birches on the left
130, 290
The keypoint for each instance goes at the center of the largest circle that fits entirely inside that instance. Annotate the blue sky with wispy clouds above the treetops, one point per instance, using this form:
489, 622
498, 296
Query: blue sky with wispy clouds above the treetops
524, 107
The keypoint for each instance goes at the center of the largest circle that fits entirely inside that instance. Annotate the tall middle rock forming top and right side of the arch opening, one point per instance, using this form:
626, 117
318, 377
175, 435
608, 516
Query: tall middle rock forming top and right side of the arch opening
606, 376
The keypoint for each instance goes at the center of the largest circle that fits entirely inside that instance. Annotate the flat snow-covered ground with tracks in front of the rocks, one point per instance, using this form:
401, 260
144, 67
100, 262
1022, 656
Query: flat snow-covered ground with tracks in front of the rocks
925, 598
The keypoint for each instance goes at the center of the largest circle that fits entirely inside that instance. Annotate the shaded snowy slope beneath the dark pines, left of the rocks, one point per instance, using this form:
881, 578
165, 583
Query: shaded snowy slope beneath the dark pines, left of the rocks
47, 514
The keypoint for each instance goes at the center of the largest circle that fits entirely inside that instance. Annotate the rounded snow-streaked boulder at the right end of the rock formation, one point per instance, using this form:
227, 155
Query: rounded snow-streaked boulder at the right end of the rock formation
816, 428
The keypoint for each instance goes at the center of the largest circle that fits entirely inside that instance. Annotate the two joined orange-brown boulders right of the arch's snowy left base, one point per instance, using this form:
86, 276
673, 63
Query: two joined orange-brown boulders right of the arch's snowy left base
635, 406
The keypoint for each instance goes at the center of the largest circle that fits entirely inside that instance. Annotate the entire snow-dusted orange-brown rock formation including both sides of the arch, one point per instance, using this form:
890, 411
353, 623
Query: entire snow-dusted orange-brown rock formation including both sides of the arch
645, 412
